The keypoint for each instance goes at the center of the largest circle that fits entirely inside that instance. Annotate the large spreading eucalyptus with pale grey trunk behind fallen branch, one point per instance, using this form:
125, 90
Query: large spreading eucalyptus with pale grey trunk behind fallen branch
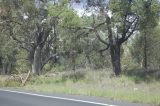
32, 25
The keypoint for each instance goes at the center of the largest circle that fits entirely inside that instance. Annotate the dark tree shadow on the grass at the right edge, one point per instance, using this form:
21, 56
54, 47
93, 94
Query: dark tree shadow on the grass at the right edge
138, 75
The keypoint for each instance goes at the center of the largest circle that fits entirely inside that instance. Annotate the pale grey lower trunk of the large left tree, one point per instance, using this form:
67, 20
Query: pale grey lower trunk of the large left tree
36, 66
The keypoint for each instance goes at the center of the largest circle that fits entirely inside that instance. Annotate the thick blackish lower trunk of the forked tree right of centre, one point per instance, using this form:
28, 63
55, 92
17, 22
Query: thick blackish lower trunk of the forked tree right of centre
115, 59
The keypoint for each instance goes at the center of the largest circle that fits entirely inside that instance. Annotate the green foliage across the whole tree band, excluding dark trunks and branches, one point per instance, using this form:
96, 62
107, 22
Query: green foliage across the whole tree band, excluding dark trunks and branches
65, 37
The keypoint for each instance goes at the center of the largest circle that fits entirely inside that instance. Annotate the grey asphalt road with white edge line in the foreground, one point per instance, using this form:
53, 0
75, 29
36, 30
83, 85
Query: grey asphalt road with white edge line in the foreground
28, 98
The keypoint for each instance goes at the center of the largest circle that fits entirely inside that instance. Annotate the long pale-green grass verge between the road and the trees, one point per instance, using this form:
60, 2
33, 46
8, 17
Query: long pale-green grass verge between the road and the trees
99, 83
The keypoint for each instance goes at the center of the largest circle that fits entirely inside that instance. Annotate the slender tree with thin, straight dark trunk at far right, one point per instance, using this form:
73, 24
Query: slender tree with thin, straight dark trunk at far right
149, 20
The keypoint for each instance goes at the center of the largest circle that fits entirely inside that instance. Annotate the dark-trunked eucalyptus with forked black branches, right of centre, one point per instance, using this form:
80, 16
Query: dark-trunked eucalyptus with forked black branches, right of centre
120, 27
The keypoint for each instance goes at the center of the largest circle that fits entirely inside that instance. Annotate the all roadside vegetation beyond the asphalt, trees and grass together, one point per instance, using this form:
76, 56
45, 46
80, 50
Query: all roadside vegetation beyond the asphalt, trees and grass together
113, 52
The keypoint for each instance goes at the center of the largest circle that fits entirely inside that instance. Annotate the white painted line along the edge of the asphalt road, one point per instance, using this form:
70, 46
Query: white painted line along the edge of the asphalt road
61, 98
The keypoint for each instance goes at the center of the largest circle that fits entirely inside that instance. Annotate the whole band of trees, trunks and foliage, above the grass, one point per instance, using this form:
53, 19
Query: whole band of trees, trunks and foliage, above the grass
46, 33
